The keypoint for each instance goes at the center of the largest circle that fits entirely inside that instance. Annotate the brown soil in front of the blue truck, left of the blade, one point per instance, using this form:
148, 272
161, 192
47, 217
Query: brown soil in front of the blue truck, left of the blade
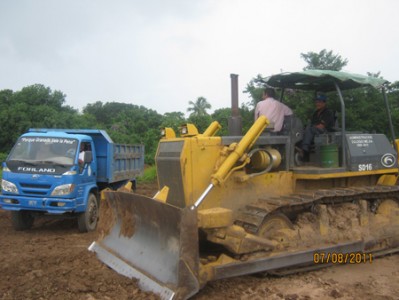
51, 261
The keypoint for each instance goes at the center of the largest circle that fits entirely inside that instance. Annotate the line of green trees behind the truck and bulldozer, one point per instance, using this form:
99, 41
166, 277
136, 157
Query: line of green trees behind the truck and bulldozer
37, 106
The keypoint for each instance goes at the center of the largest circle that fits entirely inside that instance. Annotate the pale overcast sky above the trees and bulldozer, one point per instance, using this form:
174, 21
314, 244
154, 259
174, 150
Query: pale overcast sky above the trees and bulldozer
161, 54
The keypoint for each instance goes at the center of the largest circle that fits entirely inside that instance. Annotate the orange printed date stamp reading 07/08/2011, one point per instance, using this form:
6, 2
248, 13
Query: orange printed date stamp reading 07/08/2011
342, 258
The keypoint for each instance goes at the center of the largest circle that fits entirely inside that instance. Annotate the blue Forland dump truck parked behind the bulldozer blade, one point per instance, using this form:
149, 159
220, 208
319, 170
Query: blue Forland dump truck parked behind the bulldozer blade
62, 172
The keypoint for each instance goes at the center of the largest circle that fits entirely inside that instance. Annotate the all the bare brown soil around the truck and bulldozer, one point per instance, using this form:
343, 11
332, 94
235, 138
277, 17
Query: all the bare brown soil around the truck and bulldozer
51, 261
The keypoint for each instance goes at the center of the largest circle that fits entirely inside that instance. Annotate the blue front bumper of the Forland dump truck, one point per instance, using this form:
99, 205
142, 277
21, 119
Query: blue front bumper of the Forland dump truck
46, 205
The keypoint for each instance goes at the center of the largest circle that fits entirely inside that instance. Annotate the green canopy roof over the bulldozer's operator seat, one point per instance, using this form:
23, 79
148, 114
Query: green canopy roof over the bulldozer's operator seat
322, 80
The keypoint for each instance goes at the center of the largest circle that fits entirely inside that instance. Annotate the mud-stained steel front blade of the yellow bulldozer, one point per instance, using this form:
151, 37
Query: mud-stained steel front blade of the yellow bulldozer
152, 241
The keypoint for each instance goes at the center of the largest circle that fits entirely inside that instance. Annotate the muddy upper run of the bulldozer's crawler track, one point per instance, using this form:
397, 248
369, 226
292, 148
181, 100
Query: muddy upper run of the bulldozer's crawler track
252, 217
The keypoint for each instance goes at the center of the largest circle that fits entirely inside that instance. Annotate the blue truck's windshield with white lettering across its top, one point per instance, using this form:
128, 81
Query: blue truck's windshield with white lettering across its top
44, 150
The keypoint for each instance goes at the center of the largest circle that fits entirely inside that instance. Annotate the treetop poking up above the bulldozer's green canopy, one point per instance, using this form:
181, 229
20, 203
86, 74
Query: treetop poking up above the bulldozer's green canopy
324, 60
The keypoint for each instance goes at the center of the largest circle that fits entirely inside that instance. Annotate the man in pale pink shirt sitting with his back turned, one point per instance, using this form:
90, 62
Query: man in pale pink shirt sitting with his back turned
272, 109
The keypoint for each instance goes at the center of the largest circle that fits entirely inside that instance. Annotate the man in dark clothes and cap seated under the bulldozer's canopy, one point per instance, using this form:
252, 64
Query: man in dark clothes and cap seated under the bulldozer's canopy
322, 121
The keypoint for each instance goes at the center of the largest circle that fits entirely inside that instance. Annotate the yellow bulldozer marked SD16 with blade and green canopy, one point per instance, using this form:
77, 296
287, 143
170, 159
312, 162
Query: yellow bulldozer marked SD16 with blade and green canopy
234, 205
